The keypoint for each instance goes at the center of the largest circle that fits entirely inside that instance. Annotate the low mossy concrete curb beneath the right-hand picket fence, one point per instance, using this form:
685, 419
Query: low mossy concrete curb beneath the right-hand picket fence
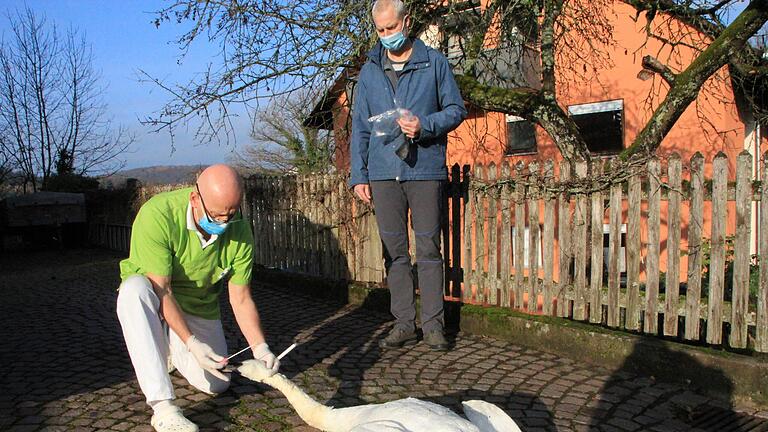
717, 373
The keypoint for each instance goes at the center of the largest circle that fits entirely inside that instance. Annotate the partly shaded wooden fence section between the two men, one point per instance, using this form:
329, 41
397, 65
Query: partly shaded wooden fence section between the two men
308, 224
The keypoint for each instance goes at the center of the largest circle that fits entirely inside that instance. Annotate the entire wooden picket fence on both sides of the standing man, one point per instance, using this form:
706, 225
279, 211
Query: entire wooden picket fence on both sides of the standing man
531, 237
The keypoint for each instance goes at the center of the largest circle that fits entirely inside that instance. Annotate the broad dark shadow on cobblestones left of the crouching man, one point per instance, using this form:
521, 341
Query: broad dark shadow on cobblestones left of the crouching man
60, 335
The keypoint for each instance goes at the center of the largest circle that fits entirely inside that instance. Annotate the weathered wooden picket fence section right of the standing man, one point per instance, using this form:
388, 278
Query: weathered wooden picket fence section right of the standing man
579, 292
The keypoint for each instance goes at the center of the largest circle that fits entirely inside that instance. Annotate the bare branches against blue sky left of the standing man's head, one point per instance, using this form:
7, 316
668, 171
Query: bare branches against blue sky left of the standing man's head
266, 49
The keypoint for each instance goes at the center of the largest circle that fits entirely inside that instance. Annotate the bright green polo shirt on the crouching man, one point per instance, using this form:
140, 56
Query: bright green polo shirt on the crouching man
163, 244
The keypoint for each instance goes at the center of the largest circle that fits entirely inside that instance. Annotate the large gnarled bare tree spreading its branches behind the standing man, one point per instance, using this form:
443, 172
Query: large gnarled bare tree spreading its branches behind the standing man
508, 54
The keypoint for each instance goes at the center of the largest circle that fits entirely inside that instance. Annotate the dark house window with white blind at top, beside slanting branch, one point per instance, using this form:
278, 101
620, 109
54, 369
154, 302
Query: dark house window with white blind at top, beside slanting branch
601, 124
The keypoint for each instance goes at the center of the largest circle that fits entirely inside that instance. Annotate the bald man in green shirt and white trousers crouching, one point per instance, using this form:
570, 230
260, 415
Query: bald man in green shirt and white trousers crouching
183, 244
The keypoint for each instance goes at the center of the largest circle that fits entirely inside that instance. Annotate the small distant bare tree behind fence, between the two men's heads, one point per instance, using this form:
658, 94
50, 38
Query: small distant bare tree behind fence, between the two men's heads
282, 142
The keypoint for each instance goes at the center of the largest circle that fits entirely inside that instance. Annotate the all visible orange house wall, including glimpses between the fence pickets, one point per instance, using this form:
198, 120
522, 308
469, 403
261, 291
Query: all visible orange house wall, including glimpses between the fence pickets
481, 138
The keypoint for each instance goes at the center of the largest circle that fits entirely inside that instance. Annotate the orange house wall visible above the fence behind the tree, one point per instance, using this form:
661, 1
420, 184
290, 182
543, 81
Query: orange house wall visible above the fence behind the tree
482, 137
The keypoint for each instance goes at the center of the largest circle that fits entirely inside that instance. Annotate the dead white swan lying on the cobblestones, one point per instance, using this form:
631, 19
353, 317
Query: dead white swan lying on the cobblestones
404, 415
